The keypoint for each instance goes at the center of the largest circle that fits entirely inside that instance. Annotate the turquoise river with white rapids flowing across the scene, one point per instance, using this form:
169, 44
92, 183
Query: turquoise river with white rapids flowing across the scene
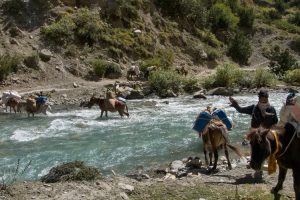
155, 133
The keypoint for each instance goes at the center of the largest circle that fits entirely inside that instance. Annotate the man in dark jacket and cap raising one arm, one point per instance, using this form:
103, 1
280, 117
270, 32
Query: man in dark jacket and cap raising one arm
263, 114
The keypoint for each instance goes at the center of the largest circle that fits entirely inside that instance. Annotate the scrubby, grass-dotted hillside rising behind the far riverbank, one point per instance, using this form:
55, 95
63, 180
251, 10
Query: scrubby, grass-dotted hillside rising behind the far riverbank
197, 34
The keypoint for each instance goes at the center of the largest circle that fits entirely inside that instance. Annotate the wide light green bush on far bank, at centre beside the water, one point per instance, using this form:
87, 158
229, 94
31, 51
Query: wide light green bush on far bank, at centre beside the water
162, 81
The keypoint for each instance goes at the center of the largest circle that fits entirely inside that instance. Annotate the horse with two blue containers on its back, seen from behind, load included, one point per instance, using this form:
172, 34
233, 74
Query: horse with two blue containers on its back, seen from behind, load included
213, 128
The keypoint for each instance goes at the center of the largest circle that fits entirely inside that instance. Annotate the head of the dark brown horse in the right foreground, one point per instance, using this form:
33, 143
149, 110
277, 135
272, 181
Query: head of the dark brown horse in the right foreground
260, 148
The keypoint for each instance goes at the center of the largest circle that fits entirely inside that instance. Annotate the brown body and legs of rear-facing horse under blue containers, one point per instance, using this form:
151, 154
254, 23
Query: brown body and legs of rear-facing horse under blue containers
215, 136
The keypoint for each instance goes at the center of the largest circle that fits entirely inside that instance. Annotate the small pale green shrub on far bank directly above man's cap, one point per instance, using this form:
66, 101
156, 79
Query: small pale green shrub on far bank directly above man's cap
263, 78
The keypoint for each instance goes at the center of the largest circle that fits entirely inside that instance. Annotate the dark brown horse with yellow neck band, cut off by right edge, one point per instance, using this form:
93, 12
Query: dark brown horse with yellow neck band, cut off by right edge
285, 146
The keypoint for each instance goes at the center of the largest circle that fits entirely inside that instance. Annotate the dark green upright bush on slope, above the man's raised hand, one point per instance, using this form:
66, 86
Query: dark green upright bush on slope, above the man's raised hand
240, 49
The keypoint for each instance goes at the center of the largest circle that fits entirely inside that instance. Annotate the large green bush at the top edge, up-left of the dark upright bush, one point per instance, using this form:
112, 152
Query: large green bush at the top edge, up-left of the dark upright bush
221, 17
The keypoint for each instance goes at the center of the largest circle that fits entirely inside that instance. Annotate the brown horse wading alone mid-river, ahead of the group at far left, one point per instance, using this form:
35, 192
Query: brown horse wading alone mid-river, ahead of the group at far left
109, 104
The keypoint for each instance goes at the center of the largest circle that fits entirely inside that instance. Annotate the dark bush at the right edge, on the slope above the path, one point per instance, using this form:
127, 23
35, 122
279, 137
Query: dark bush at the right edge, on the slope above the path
281, 61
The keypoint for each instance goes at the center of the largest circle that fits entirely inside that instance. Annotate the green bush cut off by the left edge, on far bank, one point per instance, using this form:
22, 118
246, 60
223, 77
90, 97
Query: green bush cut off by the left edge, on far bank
8, 64
